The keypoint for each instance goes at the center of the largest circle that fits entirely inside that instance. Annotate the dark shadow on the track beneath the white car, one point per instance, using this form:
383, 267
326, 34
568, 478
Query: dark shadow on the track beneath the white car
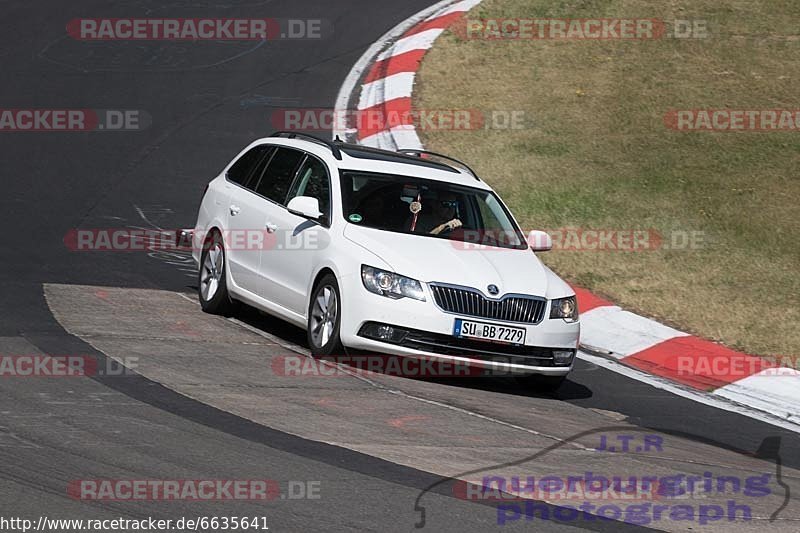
289, 333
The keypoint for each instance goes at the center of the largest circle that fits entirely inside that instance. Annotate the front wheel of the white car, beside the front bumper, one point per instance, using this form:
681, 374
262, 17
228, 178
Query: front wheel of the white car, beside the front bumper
324, 318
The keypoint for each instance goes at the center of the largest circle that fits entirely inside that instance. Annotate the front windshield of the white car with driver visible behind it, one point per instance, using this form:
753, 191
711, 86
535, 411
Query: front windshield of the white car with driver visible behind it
429, 208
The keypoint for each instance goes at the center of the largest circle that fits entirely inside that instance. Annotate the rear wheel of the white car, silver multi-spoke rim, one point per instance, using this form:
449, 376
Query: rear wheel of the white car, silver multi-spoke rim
212, 285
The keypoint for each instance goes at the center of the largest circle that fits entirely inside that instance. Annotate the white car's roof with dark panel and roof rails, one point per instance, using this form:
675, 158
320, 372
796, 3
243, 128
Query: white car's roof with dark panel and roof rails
366, 159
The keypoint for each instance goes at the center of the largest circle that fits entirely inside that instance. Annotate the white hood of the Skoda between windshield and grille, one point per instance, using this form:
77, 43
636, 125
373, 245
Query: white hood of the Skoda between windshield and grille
430, 259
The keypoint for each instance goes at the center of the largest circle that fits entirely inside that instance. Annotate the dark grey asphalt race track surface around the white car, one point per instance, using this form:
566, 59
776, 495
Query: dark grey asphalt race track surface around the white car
202, 401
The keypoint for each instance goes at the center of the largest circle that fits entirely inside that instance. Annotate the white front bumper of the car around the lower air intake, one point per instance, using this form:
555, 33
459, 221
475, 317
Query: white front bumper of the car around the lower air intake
427, 331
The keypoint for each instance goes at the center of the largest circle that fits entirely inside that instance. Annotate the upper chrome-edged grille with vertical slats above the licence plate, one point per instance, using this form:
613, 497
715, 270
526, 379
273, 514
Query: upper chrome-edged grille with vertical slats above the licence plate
470, 302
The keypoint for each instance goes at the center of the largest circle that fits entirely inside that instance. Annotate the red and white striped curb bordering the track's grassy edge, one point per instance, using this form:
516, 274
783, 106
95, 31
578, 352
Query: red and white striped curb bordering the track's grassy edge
383, 81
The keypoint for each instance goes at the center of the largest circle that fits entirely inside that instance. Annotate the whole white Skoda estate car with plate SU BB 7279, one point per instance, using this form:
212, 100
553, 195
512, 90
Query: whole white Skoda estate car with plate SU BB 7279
405, 253
